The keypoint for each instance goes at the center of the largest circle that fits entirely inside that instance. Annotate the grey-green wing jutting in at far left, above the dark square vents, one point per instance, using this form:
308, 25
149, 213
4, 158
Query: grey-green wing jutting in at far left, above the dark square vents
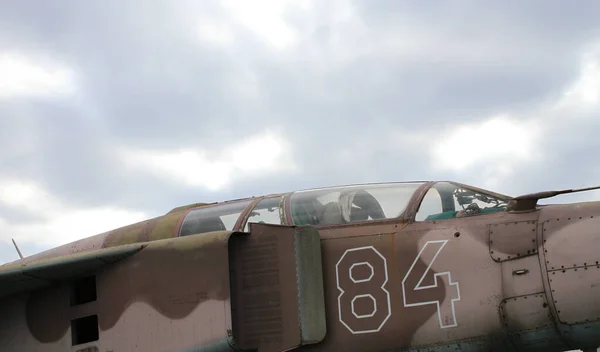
24, 275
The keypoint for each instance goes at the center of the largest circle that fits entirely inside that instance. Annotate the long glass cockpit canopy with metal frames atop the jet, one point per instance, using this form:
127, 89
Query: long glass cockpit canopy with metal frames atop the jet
346, 204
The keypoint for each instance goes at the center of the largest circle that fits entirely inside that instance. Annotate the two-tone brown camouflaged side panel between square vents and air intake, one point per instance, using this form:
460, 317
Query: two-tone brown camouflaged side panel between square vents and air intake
177, 288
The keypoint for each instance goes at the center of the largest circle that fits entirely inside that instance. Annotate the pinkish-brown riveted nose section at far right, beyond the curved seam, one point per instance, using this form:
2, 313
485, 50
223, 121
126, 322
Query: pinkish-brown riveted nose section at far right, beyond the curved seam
571, 243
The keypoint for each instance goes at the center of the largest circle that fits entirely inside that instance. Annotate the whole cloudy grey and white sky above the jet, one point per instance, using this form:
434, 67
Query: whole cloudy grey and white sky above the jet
112, 112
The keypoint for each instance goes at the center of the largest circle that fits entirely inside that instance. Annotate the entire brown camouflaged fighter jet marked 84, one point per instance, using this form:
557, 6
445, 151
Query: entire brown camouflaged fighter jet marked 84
409, 266
